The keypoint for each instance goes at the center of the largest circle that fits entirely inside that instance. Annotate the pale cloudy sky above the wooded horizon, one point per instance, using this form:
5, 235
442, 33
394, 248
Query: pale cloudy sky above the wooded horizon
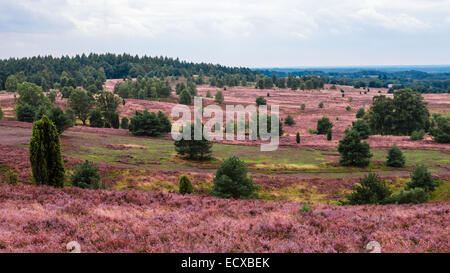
254, 33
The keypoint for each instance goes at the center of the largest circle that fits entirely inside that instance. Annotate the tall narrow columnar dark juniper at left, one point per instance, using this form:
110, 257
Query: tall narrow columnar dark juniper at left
45, 154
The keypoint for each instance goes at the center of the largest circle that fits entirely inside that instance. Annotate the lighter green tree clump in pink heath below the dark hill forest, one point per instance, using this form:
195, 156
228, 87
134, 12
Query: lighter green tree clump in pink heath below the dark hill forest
143, 88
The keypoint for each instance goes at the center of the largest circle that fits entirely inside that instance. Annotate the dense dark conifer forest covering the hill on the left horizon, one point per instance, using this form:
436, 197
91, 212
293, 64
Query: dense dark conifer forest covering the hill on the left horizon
93, 69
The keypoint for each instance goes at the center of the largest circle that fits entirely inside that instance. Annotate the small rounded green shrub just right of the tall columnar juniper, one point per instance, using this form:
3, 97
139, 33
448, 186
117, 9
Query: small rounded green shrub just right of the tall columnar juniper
86, 176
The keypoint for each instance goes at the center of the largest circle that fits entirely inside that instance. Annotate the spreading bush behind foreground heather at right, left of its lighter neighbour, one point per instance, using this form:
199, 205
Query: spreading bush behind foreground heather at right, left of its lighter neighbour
371, 190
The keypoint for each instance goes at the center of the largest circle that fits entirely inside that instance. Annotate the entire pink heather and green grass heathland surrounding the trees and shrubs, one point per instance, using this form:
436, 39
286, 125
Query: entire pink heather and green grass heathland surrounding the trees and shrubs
140, 209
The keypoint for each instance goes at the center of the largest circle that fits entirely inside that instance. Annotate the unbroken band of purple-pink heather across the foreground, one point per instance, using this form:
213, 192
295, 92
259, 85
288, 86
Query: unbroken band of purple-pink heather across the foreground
45, 219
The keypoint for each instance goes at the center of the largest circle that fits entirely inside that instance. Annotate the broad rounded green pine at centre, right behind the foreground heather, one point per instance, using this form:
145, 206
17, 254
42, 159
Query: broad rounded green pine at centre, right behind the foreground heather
231, 180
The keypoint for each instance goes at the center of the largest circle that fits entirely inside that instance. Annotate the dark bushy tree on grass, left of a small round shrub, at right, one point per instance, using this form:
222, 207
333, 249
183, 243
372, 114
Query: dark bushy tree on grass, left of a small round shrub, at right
353, 152
